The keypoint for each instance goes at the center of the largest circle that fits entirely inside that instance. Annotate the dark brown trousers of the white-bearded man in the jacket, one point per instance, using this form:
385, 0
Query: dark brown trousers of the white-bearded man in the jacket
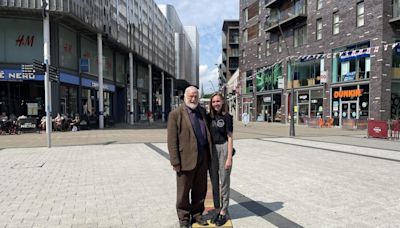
193, 182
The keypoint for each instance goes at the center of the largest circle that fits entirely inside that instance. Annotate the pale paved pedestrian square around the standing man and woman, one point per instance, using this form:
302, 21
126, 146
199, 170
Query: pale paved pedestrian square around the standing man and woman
276, 182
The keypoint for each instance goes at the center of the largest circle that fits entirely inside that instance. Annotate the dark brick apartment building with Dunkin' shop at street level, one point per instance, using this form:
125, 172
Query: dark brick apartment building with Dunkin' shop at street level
340, 57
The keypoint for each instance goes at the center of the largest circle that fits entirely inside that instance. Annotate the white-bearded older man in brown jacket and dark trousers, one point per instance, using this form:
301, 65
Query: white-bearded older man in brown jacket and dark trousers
189, 146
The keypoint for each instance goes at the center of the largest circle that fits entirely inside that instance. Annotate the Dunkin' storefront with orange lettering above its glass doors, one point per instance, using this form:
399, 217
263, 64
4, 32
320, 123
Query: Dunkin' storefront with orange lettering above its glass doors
350, 104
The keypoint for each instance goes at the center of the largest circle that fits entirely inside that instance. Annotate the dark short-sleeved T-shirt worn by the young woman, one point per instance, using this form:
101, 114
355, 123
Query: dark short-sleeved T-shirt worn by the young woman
220, 127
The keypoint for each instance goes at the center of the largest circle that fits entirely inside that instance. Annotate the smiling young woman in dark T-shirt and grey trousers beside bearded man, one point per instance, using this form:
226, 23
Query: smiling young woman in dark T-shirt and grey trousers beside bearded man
221, 129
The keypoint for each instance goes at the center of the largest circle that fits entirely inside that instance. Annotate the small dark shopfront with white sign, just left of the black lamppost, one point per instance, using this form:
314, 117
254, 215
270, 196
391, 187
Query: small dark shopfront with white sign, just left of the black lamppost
269, 107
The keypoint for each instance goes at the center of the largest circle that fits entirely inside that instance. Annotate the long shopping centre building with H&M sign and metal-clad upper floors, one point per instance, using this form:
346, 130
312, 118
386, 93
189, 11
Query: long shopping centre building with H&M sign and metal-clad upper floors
138, 61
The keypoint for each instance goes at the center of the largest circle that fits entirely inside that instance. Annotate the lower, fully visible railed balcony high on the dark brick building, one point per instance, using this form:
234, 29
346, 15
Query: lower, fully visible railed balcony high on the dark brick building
285, 18
